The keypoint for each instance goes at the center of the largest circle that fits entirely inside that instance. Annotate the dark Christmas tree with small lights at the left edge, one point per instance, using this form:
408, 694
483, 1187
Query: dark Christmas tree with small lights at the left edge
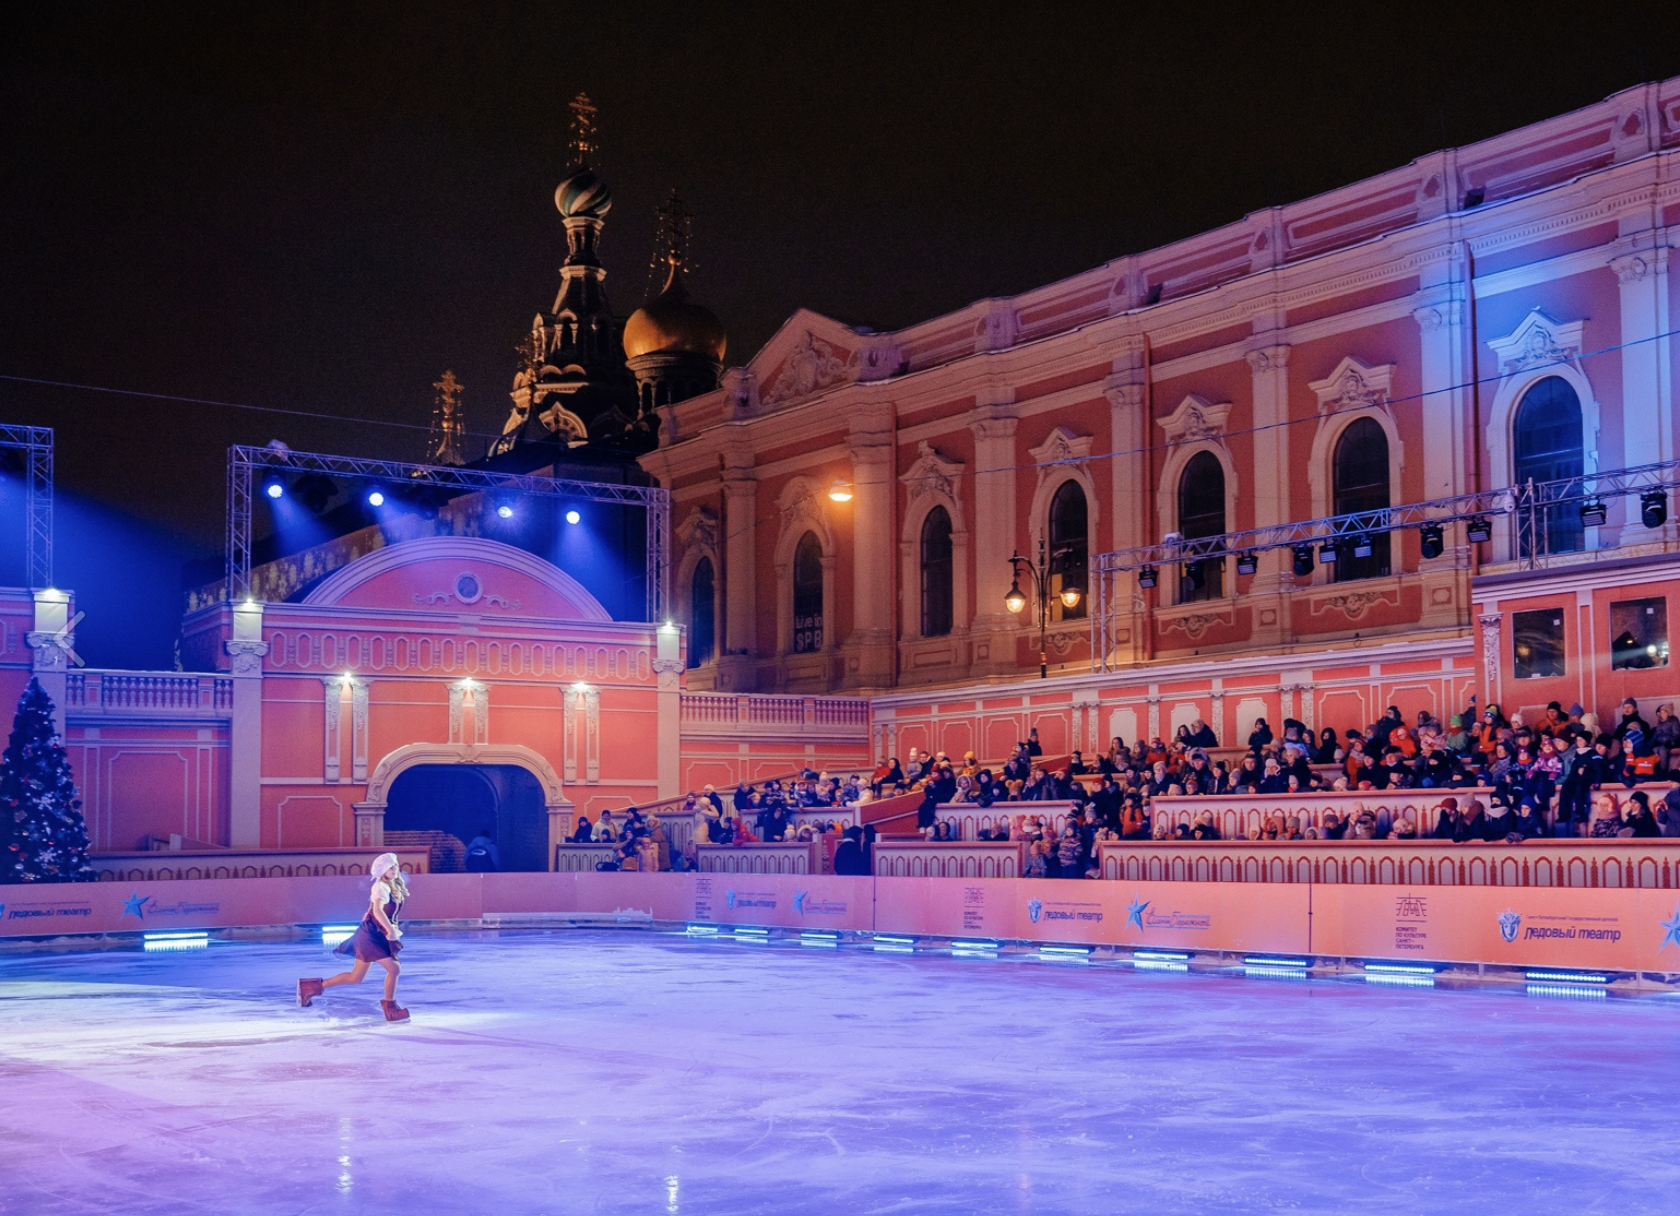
43, 834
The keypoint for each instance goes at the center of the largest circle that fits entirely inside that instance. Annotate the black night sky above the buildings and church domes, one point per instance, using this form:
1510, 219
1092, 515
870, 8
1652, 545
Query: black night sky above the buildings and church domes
322, 207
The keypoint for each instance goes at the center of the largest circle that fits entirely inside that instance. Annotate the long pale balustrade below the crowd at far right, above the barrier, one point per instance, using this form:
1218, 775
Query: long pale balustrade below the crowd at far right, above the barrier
1545, 862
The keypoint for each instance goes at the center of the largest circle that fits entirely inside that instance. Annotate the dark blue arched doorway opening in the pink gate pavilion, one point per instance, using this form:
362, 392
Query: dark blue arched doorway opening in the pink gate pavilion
446, 805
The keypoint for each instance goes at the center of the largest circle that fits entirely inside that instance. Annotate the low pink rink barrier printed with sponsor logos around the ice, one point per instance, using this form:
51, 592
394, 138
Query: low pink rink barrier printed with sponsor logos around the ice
1610, 930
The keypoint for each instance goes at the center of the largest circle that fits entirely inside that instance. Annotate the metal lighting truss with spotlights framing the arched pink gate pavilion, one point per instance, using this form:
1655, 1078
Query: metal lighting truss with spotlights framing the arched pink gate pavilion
246, 466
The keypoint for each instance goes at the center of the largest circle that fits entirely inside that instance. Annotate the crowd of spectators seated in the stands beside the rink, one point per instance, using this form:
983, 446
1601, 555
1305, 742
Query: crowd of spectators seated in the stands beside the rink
1557, 777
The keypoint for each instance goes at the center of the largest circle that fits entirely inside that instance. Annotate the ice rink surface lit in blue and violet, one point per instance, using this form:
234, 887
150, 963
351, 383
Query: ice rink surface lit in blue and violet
629, 1072
